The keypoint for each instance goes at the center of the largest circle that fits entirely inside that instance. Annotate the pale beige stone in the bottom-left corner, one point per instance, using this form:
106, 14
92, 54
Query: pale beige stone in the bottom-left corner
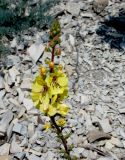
4, 149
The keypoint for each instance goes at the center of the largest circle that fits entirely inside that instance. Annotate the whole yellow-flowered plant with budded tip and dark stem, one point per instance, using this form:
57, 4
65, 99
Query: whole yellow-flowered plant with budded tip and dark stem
50, 88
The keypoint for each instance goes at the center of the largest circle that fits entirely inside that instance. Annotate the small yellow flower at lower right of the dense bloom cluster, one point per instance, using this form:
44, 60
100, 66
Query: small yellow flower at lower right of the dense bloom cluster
62, 109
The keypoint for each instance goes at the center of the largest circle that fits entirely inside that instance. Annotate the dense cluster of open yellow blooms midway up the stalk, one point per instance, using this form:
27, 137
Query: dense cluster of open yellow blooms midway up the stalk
48, 92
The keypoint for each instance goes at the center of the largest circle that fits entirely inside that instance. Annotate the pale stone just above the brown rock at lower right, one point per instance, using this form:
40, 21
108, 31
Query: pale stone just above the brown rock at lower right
106, 127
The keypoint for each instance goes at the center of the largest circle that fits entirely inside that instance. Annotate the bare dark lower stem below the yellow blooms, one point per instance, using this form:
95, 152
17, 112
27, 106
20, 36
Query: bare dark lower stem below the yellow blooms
59, 132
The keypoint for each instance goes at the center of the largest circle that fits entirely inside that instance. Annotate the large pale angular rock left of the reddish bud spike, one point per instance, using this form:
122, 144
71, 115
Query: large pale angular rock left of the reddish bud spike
35, 51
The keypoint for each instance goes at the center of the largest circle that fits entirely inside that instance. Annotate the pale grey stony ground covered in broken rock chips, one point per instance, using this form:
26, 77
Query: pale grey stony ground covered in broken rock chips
96, 90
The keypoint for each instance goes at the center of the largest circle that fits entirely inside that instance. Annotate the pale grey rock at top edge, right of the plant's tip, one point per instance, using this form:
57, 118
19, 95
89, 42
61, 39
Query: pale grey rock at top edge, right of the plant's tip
73, 8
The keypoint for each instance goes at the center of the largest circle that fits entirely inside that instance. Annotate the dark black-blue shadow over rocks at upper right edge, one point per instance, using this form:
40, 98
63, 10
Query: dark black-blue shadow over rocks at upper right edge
112, 31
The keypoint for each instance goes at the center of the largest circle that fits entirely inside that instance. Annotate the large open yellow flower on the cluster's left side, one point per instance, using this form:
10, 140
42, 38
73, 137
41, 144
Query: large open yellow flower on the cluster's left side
40, 93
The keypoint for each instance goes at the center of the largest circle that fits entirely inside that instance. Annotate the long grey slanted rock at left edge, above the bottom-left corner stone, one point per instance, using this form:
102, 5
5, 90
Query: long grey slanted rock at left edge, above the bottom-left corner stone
4, 123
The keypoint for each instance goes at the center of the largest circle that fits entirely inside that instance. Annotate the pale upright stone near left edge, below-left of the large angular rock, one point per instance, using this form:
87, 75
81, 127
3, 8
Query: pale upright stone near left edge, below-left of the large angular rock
13, 72
